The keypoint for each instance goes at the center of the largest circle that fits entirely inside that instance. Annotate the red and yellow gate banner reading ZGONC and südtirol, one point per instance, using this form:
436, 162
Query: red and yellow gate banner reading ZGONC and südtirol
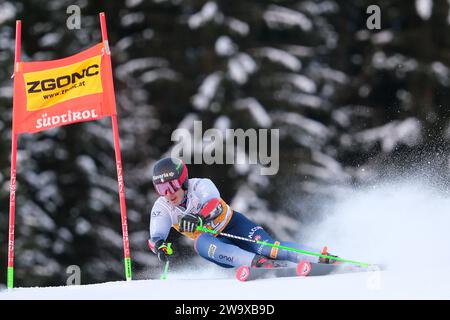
49, 94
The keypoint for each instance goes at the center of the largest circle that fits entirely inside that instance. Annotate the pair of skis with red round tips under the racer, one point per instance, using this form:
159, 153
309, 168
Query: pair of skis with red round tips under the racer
303, 269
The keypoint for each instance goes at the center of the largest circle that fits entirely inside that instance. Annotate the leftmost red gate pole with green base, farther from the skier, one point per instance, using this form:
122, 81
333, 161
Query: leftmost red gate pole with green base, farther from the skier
12, 186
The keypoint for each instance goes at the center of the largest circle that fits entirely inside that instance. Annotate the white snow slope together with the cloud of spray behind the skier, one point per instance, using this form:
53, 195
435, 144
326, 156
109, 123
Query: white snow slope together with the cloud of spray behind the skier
403, 226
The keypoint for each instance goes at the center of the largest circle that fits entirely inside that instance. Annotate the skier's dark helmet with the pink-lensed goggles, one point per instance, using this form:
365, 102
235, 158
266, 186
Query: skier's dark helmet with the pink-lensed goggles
169, 175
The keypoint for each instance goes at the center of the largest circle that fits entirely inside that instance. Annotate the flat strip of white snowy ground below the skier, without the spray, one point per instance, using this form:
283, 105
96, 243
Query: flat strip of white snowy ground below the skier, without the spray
416, 282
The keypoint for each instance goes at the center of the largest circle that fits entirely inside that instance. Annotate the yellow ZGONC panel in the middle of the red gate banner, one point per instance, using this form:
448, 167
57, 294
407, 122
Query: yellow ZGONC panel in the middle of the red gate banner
49, 87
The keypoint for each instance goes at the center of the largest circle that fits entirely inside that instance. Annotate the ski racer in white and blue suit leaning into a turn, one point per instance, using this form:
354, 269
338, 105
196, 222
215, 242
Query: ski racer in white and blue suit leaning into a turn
185, 204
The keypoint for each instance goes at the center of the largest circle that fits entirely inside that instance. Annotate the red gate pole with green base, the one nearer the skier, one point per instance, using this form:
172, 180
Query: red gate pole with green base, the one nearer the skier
120, 181
